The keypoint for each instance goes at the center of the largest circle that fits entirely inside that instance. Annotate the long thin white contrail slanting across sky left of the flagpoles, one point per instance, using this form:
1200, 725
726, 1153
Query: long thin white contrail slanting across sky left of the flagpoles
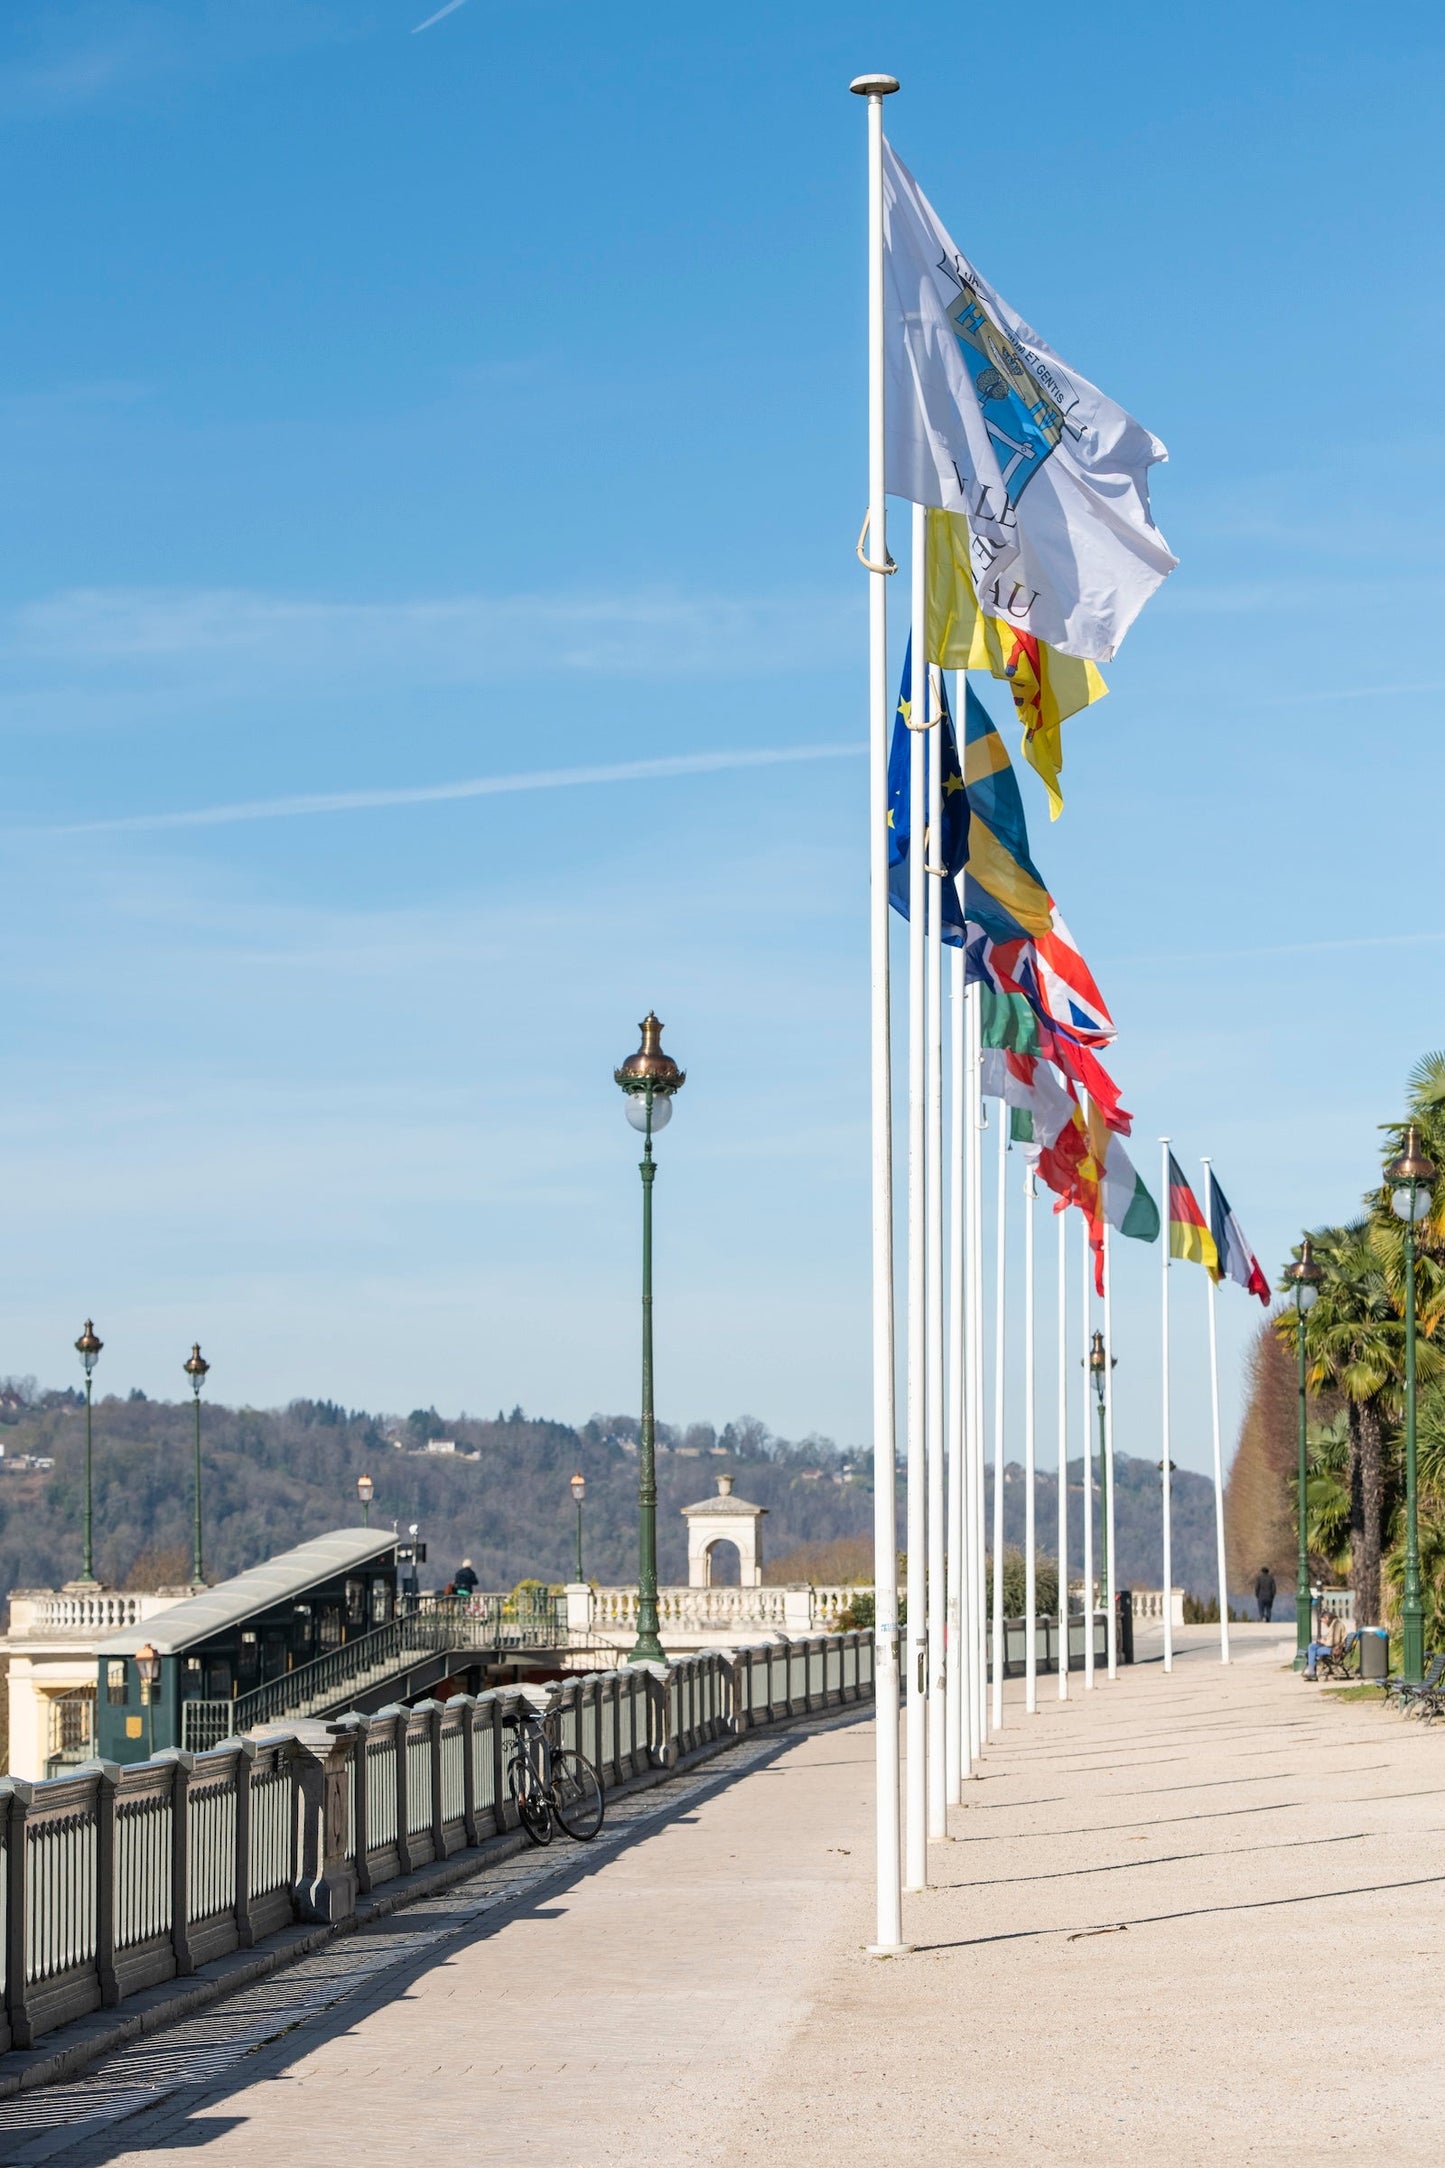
541, 779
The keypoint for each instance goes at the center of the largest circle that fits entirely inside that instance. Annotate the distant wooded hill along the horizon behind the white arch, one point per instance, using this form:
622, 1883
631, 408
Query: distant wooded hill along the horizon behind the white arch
274, 1477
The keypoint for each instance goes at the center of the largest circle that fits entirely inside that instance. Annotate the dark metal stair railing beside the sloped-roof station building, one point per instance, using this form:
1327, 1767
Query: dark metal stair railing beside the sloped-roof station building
432, 1625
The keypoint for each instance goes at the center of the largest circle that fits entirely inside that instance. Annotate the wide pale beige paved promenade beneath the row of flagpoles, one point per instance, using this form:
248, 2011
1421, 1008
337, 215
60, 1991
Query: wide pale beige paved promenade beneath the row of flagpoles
1193, 1920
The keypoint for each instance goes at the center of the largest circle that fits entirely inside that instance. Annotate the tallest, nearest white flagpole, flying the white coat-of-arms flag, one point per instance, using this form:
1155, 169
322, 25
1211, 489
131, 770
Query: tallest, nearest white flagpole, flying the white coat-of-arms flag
889, 1918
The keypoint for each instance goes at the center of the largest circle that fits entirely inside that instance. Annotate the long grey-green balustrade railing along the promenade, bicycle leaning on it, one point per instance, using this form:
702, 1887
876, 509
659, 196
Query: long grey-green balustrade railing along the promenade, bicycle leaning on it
122, 1879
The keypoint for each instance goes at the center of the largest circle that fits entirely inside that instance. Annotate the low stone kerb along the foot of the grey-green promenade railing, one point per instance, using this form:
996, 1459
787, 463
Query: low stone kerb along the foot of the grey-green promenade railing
75, 2048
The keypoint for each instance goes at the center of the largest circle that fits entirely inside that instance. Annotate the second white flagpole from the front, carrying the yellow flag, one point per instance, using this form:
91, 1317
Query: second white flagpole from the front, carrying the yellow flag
915, 1770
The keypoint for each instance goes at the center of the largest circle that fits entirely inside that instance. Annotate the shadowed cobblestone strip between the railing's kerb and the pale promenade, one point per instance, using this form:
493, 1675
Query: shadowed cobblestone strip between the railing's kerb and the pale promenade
55, 2121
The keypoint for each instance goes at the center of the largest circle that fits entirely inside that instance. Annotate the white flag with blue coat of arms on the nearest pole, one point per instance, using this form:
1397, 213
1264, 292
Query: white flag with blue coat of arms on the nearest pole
989, 422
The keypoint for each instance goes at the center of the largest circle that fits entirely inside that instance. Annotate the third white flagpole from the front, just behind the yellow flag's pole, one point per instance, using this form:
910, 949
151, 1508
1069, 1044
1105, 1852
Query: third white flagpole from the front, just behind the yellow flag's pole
933, 1183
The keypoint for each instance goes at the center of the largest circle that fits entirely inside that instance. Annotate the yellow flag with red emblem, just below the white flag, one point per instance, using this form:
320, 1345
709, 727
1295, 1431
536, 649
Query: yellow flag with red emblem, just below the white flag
1047, 686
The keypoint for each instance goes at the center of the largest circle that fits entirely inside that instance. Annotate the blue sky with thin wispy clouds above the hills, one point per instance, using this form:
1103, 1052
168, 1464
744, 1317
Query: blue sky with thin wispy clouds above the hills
387, 411
